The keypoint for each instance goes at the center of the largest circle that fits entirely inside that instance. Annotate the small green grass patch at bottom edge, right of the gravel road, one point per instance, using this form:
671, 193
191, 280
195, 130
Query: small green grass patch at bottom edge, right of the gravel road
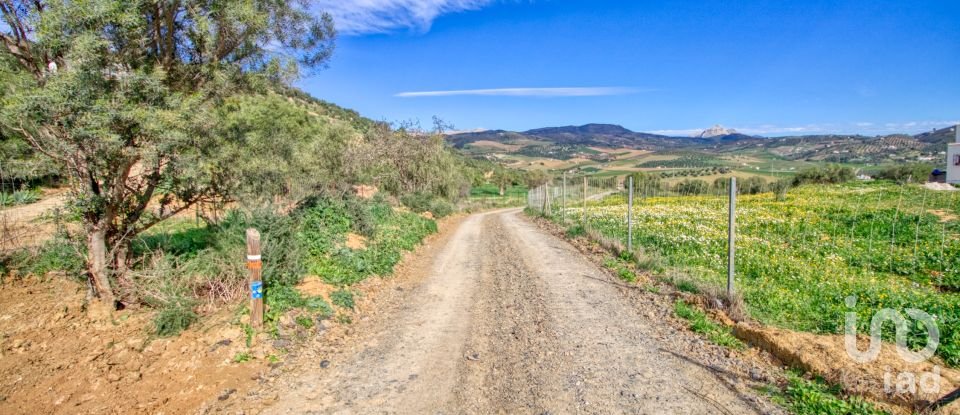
816, 397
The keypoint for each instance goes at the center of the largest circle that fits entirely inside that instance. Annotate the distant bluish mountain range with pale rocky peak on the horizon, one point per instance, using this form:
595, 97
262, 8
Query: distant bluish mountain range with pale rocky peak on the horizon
825, 147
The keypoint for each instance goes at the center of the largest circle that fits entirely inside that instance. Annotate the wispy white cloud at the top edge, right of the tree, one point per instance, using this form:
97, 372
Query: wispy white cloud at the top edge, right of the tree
359, 17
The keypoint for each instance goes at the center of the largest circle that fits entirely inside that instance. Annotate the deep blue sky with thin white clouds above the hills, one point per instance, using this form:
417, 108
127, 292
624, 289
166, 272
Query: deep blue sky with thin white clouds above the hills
762, 67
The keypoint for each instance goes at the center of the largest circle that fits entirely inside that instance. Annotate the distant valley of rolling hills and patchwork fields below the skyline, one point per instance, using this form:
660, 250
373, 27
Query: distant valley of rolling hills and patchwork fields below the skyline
610, 150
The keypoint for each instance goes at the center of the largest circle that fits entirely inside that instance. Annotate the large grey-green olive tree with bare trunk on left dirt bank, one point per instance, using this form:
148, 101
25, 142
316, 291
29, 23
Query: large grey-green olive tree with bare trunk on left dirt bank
123, 95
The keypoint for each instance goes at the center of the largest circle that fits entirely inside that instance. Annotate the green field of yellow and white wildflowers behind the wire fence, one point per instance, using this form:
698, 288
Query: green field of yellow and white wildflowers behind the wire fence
797, 259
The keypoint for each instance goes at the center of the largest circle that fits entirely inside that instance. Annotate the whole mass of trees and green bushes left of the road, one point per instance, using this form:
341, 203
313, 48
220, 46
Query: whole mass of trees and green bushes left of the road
171, 157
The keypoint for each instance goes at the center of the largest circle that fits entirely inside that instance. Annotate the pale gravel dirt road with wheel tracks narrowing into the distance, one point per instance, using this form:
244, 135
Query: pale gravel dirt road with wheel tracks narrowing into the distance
509, 319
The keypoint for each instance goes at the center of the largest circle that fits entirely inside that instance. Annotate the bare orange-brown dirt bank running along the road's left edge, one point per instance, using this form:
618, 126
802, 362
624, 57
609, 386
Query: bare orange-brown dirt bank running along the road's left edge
59, 357
